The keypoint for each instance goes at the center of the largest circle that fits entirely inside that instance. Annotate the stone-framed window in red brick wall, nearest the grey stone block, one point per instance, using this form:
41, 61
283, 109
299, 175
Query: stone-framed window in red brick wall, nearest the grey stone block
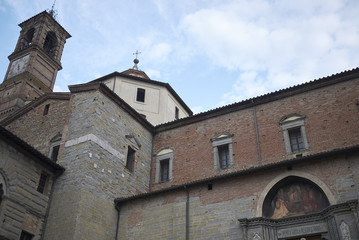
164, 163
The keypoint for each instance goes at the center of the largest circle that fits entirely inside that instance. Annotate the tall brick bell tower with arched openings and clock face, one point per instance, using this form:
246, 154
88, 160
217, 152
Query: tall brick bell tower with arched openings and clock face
34, 63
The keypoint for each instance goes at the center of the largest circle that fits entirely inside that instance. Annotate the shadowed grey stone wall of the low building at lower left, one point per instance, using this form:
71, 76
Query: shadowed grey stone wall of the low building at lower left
22, 206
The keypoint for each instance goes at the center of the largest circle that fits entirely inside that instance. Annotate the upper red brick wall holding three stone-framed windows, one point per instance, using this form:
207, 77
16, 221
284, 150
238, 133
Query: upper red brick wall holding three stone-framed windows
331, 121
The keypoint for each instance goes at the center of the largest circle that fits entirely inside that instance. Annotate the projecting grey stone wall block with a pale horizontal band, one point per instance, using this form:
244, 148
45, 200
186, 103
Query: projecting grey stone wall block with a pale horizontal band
94, 155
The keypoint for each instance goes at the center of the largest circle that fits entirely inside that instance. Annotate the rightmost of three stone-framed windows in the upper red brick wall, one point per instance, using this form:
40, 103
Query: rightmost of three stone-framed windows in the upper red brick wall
295, 138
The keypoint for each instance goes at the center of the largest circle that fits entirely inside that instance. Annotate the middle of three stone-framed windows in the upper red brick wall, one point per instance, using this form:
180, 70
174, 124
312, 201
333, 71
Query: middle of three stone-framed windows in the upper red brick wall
222, 150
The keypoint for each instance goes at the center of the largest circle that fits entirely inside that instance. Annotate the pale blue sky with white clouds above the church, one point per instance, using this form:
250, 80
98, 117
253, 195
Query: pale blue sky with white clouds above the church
212, 52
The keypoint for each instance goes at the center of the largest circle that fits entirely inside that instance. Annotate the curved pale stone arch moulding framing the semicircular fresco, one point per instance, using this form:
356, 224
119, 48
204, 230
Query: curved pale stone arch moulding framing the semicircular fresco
319, 183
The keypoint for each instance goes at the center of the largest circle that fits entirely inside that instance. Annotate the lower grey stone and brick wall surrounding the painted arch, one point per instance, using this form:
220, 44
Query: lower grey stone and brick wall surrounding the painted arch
214, 214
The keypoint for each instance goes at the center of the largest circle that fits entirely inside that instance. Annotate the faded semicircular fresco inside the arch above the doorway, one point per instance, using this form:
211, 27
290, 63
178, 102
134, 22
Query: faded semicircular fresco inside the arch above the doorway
294, 196
